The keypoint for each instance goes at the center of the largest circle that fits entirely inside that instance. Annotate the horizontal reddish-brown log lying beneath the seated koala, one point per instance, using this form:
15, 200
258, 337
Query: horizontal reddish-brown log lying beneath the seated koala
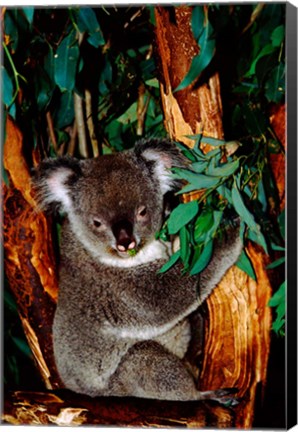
64, 408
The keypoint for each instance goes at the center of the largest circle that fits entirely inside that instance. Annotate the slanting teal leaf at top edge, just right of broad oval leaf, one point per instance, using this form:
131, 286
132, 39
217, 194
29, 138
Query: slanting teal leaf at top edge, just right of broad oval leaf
87, 22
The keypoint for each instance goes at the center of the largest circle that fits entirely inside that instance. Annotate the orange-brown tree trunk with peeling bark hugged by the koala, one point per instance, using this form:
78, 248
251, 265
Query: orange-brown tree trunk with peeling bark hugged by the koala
237, 334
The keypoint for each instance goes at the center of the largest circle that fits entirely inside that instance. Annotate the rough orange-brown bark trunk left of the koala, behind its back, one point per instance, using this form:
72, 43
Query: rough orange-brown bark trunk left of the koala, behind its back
30, 262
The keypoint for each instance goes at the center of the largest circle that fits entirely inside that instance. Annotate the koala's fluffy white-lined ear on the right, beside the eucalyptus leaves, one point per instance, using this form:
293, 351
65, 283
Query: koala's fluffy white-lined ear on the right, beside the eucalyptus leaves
161, 154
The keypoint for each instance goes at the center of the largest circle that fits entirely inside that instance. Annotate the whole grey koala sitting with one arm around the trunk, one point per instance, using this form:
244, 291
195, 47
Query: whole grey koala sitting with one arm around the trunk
120, 327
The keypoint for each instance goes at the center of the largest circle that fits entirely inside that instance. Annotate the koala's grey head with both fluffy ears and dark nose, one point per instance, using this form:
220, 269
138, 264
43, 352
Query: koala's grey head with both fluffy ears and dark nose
114, 203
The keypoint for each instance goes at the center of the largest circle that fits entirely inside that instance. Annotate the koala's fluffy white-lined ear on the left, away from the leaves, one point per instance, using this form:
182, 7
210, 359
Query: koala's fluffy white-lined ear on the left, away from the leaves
52, 179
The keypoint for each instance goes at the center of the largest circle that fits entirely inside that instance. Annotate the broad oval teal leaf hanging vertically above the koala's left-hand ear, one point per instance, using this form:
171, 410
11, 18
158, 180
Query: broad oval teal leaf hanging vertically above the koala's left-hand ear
65, 64
